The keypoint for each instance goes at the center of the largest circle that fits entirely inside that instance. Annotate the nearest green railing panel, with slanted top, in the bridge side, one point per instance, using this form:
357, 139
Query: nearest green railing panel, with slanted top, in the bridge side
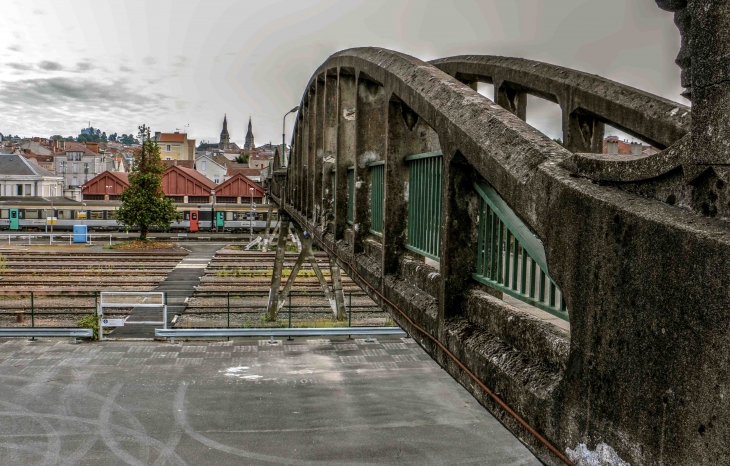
511, 258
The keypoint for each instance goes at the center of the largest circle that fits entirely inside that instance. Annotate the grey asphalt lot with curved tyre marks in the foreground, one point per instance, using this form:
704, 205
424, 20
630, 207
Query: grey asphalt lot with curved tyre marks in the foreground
318, 402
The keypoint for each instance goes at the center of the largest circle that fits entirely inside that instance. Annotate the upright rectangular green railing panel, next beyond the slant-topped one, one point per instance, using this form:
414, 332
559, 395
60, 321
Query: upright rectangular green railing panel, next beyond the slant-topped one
424, 203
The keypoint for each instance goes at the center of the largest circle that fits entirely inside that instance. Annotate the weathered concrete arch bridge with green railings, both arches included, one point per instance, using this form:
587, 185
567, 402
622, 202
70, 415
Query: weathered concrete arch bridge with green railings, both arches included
440, 202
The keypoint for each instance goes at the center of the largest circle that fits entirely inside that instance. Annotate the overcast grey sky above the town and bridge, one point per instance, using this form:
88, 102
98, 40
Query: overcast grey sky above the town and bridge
169, 64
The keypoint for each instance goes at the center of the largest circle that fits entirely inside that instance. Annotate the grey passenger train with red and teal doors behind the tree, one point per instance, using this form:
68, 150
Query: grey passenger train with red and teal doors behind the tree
19, 214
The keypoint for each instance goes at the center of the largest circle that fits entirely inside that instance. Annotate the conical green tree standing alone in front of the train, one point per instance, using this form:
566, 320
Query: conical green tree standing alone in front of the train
143, 202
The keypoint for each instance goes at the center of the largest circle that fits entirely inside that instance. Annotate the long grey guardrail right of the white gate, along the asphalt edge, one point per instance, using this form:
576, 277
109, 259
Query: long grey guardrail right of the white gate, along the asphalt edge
276, 332
